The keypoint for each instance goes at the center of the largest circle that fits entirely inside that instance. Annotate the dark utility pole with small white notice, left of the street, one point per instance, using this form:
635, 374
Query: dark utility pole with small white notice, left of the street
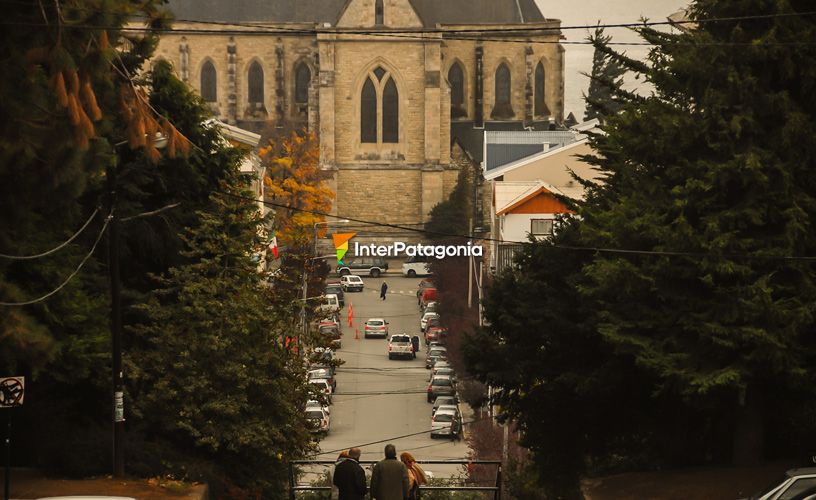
116, 328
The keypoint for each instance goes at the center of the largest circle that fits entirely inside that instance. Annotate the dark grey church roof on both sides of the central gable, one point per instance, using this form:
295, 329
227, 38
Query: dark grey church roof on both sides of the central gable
432, 12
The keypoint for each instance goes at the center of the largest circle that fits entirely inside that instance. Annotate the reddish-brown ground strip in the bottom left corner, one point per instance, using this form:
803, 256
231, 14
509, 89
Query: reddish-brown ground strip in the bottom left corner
31, 484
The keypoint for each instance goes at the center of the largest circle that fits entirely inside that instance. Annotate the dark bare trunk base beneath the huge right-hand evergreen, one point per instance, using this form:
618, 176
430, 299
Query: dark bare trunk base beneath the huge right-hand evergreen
749, 431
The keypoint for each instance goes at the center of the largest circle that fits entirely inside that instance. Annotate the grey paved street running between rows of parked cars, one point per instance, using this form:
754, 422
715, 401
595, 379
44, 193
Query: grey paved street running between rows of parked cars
379, 399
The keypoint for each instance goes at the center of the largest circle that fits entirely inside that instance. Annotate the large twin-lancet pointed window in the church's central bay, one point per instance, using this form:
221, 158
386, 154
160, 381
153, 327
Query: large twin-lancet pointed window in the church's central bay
379, 108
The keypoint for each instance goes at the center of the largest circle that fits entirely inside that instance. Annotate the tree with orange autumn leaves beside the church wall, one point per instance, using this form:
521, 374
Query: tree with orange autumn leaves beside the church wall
294, 183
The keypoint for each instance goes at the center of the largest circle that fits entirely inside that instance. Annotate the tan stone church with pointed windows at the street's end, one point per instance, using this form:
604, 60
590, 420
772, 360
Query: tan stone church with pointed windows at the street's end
393, 88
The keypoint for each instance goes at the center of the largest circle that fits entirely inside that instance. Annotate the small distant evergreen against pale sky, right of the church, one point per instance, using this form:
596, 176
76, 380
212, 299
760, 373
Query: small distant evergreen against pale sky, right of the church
604, 81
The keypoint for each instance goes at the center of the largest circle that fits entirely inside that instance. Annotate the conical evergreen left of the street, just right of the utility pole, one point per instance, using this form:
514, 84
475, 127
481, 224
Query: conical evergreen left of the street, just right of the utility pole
211, 375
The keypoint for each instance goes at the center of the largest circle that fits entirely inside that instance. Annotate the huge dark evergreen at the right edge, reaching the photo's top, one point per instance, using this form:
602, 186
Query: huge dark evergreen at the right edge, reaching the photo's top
717, 168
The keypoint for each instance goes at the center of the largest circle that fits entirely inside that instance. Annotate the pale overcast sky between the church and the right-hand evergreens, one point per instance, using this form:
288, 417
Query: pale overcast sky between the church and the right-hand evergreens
589, 12
